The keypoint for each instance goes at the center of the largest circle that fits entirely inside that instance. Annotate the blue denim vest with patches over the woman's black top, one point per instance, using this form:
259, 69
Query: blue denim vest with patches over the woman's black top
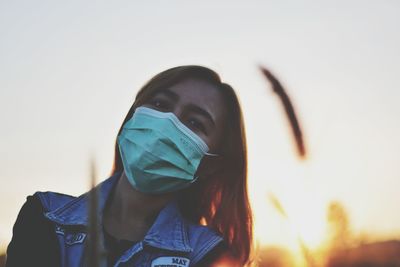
171, 241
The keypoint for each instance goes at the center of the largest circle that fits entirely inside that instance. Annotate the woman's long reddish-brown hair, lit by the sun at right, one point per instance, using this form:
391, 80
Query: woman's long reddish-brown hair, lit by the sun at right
221, 201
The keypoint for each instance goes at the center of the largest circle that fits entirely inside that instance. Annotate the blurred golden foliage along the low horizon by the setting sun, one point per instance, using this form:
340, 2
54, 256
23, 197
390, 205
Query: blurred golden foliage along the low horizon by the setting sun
343, 248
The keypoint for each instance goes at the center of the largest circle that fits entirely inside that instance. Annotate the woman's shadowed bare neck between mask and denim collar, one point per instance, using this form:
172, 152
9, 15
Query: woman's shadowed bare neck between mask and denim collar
130, 213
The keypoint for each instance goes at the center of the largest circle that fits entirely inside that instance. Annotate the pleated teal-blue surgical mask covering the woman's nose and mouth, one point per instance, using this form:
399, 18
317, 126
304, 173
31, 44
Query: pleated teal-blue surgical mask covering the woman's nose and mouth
159, 153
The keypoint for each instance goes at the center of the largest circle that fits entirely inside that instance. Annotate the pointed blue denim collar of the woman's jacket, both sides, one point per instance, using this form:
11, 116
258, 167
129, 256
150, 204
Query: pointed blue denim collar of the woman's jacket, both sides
169, 230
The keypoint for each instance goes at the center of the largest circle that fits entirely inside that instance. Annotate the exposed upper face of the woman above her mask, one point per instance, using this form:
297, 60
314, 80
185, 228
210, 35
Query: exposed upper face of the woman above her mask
199, 105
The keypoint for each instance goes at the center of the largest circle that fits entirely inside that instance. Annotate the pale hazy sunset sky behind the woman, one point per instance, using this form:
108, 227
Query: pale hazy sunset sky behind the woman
69, 72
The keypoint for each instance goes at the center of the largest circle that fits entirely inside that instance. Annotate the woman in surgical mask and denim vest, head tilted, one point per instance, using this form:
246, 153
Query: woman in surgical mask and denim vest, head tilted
177, 195
